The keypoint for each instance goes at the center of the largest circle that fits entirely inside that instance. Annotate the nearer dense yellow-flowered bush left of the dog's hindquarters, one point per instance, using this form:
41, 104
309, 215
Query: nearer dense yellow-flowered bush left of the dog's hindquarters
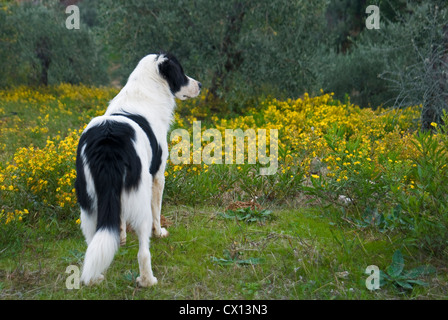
40, 177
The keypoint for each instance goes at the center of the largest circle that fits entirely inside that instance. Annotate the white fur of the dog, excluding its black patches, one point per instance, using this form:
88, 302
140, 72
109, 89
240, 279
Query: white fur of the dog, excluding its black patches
147, 94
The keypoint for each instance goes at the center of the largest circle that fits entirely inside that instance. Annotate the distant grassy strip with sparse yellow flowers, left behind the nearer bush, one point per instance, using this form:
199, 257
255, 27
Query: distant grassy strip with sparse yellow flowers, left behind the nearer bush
31, 116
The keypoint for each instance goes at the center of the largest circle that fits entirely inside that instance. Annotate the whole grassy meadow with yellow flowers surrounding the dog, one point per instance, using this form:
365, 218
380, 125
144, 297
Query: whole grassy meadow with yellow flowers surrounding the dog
353, 188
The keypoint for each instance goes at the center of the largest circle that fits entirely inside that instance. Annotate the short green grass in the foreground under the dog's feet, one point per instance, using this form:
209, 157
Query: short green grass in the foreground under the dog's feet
297, 255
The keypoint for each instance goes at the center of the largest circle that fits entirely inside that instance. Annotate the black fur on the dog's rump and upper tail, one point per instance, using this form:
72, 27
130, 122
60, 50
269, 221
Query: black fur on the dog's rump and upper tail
113, 163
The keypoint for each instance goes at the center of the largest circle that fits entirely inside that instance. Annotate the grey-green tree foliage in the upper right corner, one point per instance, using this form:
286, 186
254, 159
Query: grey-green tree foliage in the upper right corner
419, 74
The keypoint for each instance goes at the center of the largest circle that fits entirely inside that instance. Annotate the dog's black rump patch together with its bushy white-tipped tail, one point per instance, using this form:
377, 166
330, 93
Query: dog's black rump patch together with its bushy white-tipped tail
114, 166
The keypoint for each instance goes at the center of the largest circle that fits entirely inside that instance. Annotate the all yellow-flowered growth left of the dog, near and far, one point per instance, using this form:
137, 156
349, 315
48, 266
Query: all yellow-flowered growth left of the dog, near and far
40, 177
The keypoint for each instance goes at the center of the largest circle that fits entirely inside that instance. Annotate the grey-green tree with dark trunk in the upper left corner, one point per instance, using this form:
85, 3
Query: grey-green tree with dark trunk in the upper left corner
37, 48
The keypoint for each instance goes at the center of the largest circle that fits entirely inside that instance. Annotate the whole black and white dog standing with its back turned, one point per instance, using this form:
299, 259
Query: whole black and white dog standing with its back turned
121, 162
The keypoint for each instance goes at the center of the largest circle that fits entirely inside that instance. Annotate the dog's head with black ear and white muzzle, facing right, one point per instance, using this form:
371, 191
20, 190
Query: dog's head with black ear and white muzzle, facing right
181, 86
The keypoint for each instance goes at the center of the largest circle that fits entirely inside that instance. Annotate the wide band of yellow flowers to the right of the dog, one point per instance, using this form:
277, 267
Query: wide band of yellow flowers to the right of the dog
318, 137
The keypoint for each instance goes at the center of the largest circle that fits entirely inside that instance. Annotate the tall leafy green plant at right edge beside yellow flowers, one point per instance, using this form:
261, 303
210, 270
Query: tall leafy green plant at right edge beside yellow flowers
426, 207
